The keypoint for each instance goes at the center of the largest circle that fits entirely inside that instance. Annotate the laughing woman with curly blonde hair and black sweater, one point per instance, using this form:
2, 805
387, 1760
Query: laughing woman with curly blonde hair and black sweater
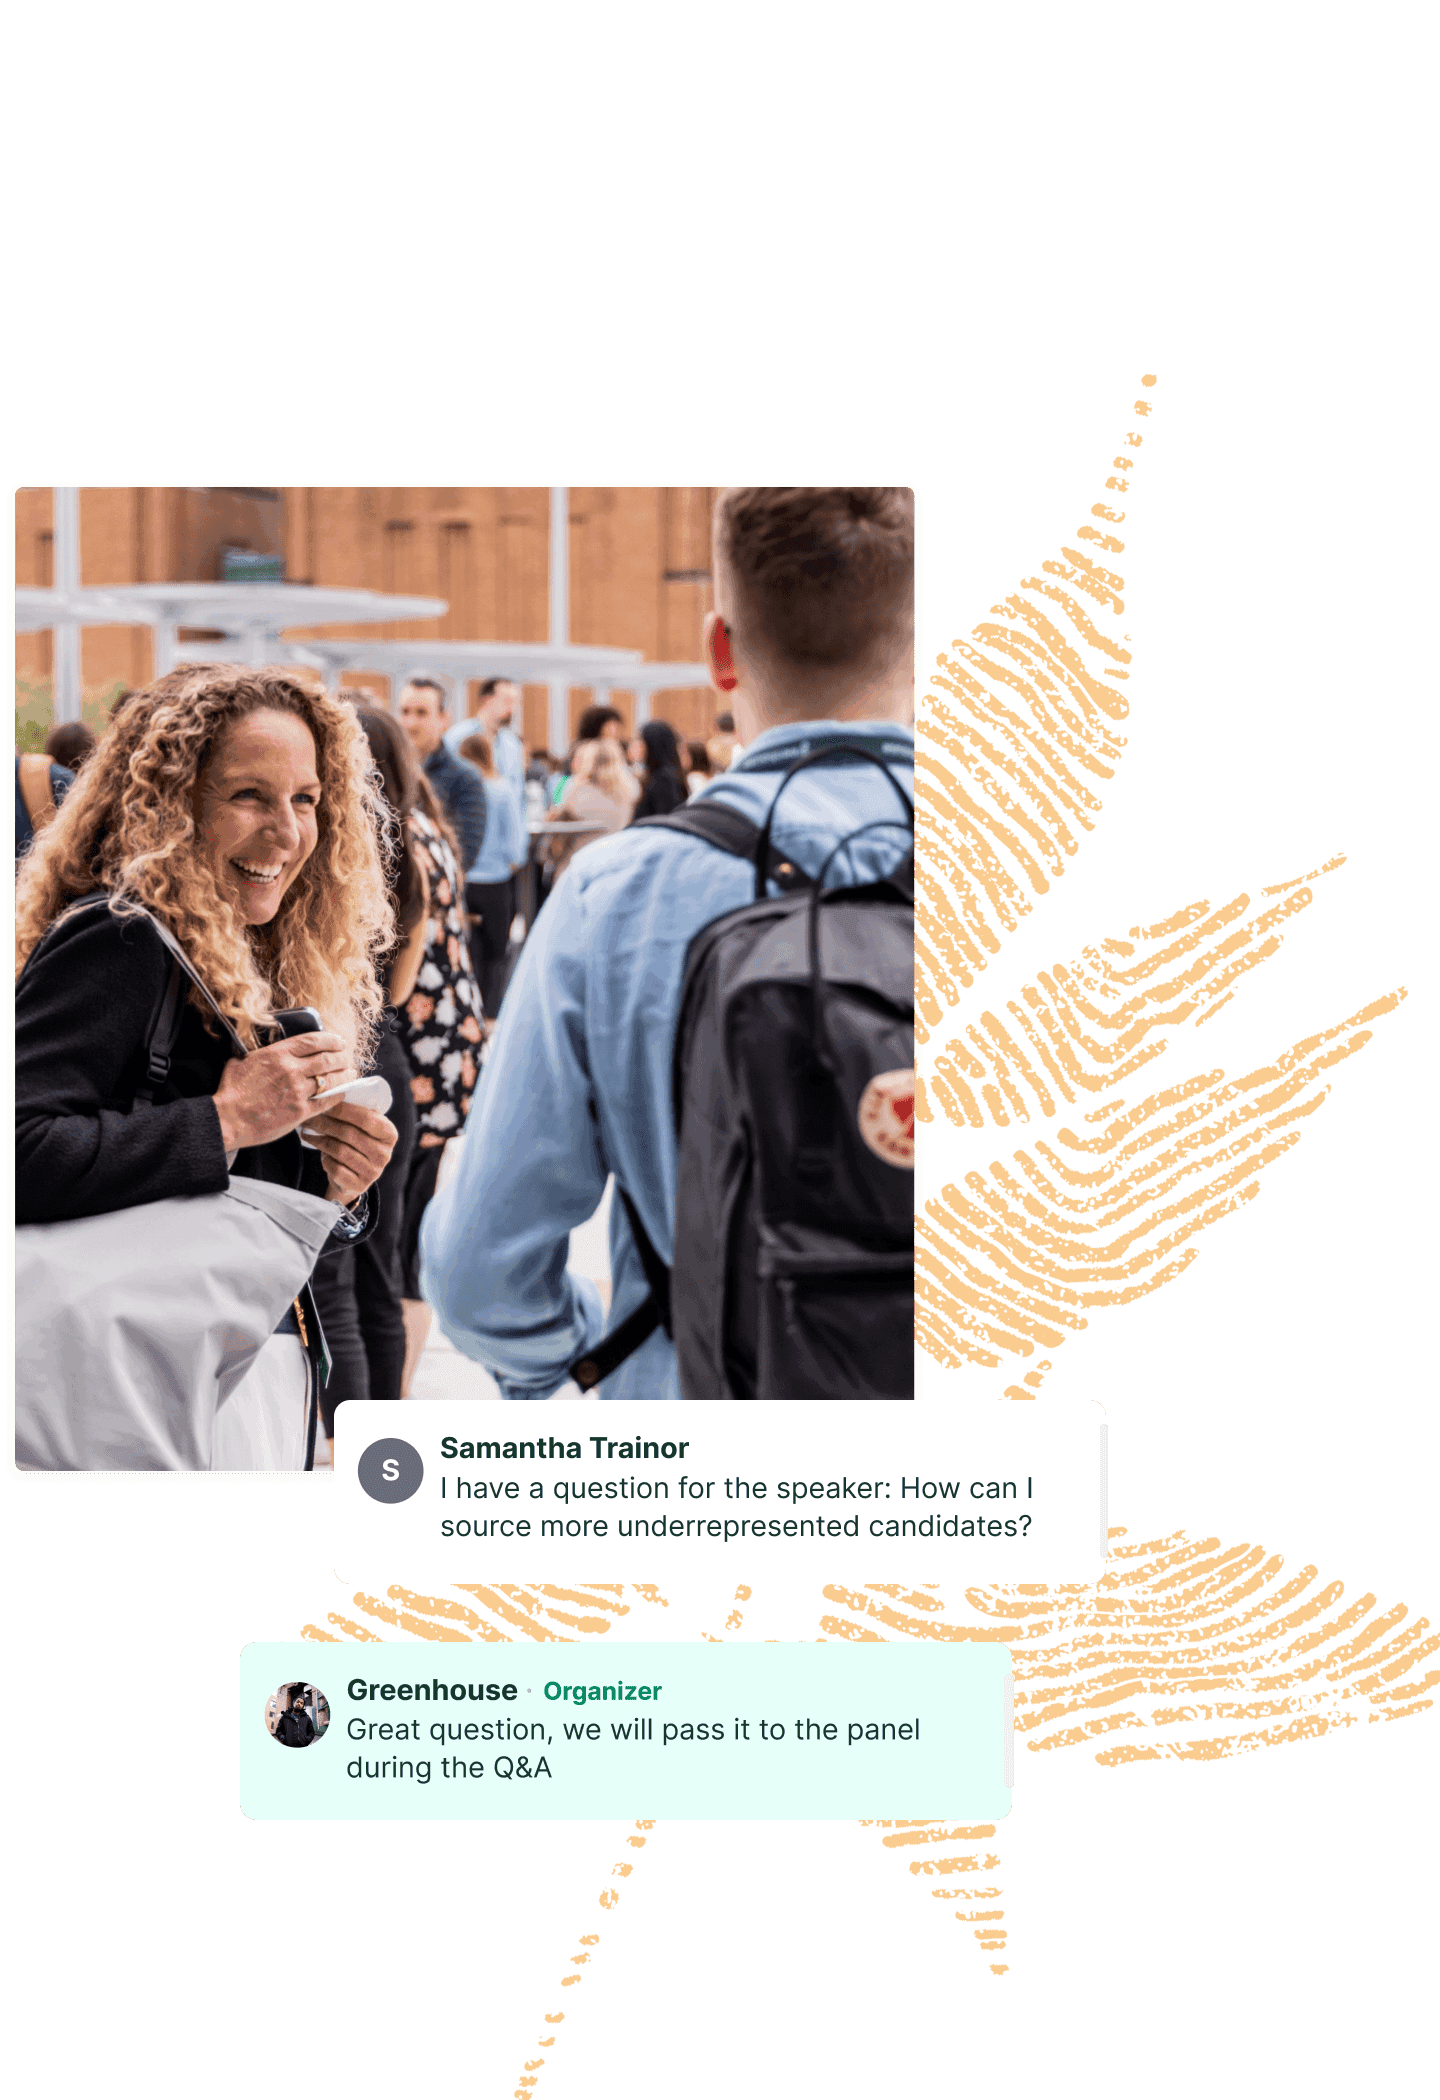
238, 812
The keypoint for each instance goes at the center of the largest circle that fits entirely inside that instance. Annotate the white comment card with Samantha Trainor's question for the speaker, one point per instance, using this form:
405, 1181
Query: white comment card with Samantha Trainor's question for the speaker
700, 1492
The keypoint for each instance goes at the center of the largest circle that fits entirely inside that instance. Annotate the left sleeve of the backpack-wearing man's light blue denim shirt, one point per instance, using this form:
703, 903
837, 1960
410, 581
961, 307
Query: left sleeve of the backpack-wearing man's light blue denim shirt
496, 1238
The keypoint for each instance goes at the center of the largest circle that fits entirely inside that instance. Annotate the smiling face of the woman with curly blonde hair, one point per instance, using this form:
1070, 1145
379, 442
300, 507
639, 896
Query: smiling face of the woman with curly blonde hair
257, 816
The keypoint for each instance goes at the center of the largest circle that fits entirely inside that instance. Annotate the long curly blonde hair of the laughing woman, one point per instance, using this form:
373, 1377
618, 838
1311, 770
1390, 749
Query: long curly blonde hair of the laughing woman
129, 826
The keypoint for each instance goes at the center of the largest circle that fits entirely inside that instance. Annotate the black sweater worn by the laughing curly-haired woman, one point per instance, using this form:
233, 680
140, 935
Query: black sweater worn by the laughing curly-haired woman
83, 1143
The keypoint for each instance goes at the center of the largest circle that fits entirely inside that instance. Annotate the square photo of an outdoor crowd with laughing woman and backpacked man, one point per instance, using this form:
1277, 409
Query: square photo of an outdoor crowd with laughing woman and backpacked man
410, 1015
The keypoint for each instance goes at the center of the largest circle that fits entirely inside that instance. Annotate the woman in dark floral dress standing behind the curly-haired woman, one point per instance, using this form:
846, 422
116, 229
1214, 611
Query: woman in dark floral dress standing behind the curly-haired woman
440, 1034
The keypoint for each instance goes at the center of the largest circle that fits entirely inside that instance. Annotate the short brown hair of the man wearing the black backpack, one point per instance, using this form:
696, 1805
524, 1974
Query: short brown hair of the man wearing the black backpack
822, 572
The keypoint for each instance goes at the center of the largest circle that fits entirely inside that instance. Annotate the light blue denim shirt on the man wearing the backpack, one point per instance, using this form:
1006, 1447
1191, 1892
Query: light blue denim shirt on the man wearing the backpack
576, 1083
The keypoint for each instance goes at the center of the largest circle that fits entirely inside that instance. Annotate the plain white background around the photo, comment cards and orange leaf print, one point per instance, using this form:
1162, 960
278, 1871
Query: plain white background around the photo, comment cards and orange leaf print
774, 243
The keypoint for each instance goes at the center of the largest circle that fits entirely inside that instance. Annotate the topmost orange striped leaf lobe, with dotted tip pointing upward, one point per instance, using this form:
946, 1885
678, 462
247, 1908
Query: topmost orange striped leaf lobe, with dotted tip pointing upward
1019, 726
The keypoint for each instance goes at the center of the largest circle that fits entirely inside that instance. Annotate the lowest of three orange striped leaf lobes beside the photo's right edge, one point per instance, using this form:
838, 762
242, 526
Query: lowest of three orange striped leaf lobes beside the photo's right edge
1015, 1261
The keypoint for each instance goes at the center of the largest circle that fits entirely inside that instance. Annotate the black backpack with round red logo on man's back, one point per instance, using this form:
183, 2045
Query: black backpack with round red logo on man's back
795, 1272
